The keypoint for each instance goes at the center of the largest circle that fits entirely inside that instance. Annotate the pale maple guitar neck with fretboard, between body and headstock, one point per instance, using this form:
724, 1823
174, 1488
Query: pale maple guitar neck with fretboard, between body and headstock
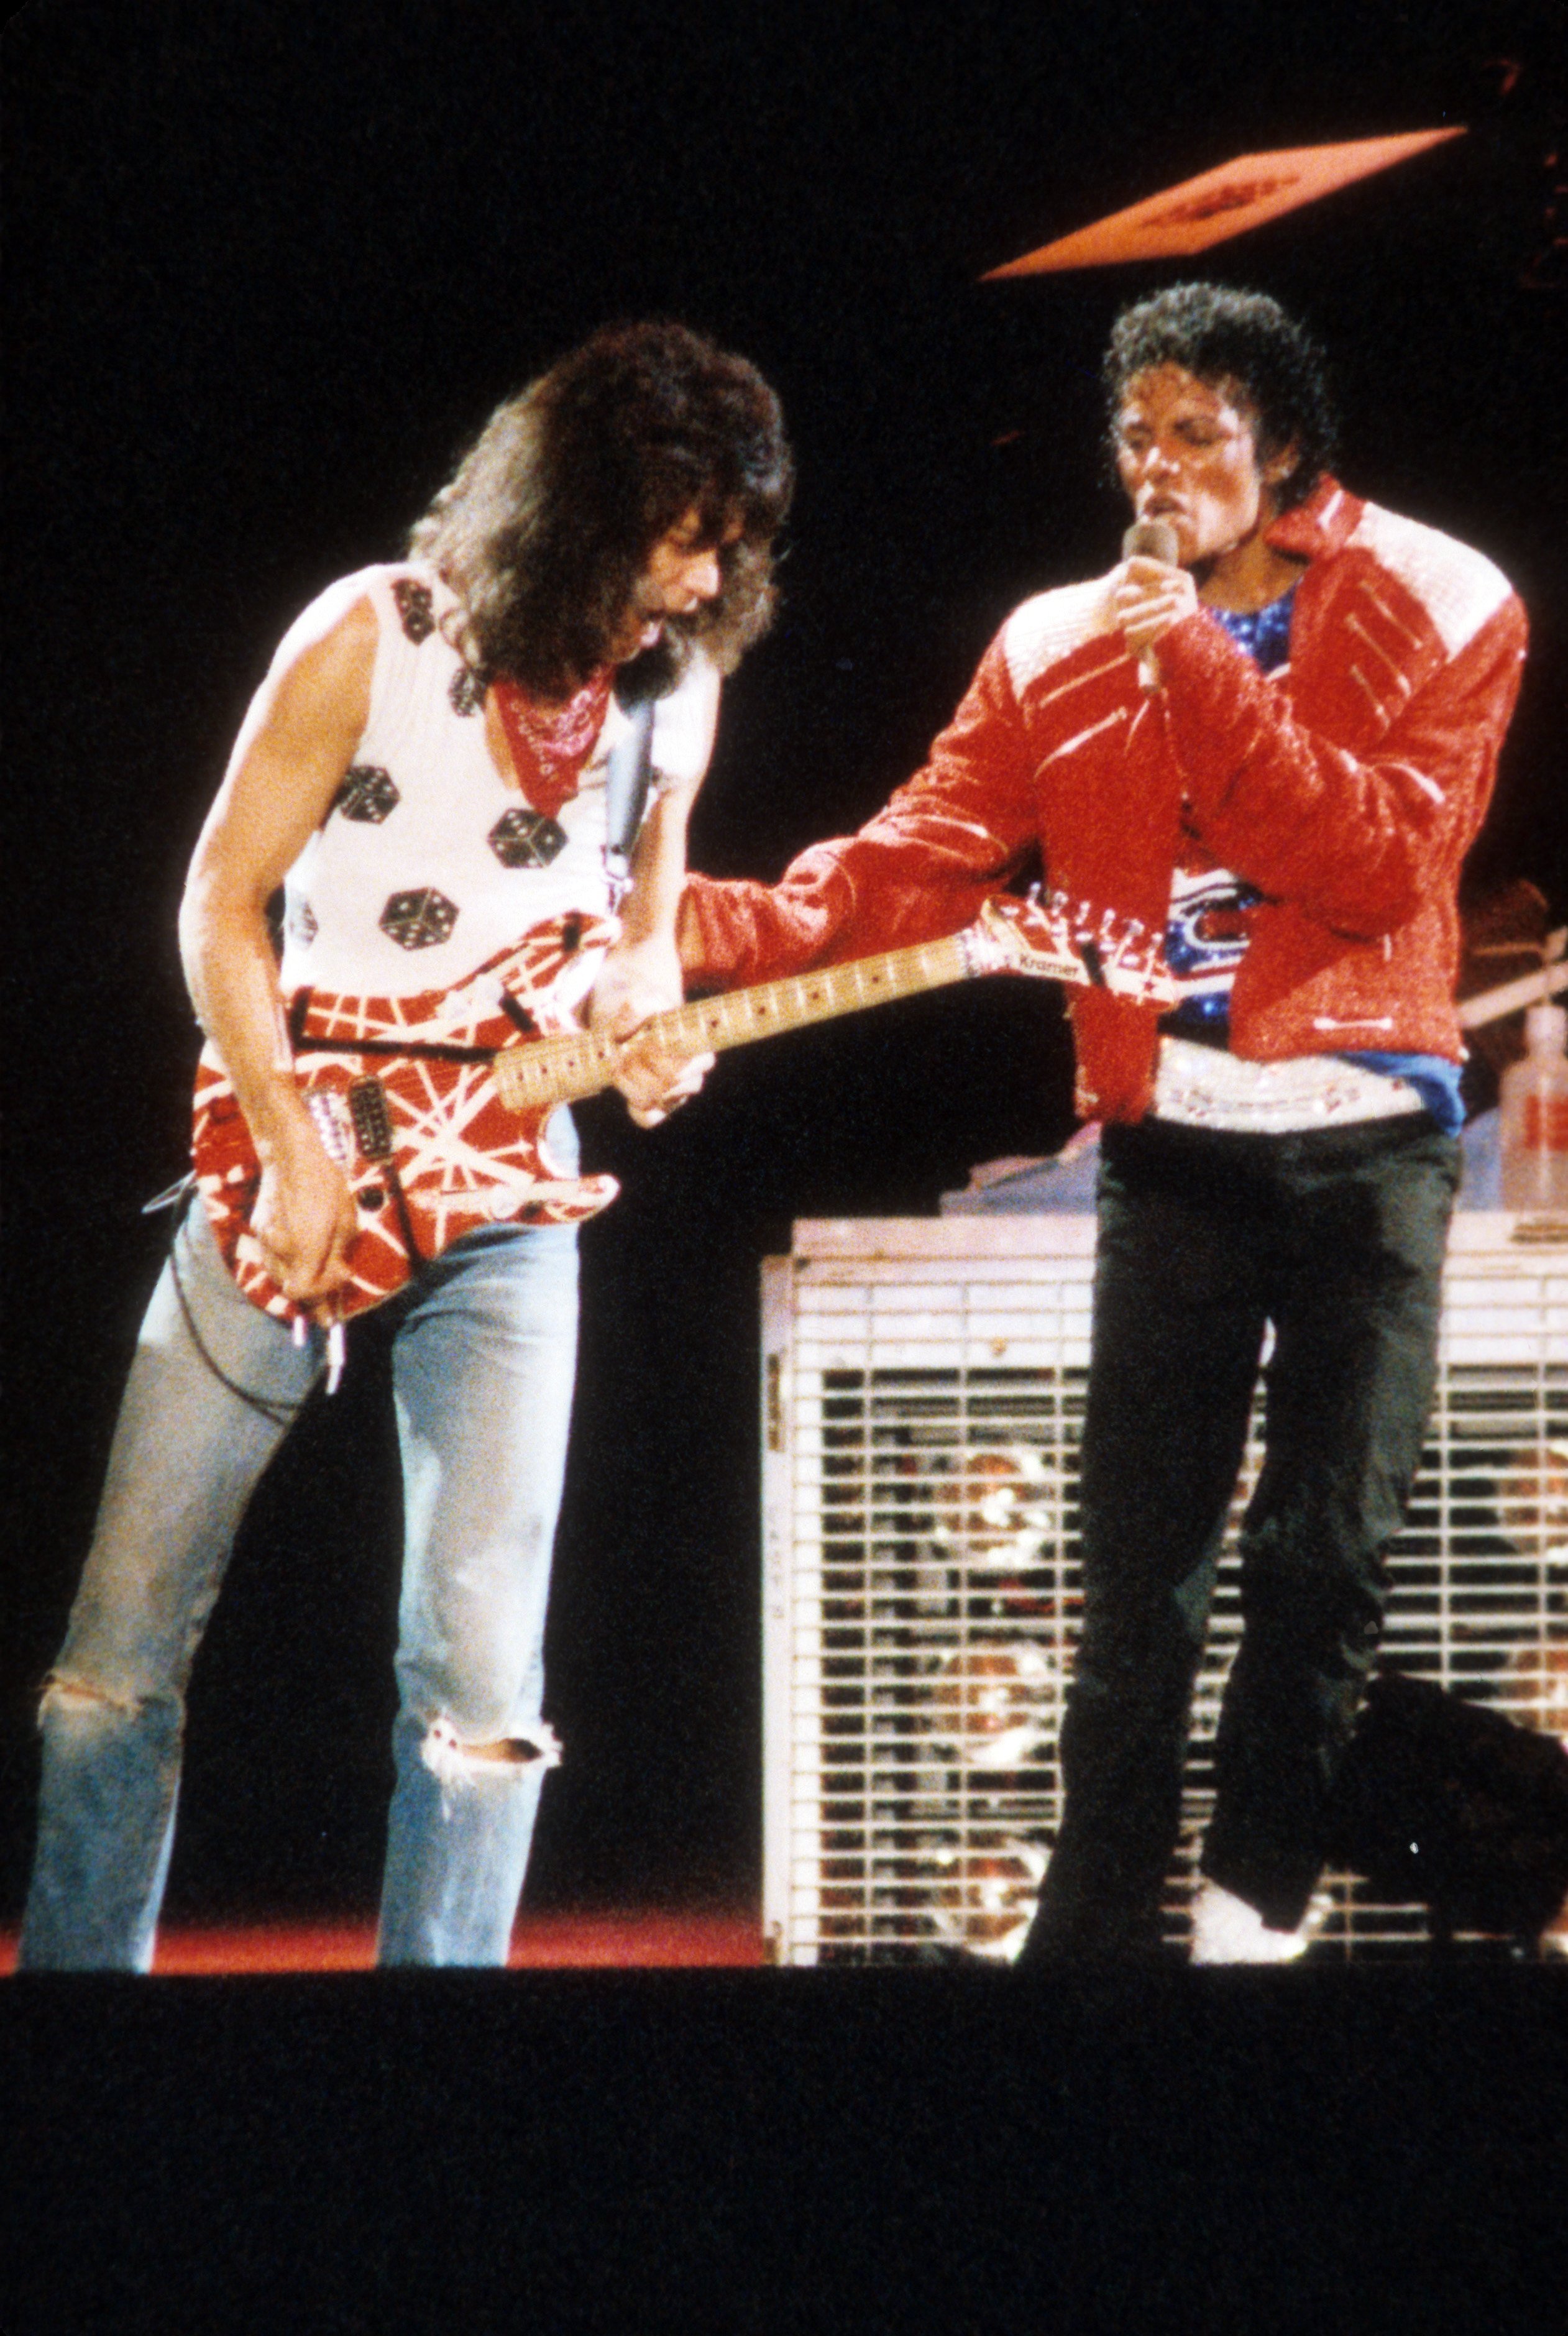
576, 1064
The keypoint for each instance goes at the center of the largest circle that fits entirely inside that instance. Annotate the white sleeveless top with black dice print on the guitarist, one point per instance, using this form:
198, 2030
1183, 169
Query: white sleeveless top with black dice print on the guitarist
429, 863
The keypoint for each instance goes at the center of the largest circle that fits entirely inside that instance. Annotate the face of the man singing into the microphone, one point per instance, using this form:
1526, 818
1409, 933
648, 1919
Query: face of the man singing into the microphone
1188, 454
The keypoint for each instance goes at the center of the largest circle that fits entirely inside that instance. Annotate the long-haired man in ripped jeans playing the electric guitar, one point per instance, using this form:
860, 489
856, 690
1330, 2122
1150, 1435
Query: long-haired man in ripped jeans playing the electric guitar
424, 777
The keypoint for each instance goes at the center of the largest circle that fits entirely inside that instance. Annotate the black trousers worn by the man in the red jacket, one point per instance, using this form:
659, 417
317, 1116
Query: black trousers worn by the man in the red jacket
1333, 1237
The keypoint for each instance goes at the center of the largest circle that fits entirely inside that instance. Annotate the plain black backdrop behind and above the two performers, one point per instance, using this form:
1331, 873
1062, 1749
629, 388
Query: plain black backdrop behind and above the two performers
270, 270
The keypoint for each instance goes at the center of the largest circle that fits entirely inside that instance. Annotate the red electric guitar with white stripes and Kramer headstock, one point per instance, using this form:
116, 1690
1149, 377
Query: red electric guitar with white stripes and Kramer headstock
436, 1106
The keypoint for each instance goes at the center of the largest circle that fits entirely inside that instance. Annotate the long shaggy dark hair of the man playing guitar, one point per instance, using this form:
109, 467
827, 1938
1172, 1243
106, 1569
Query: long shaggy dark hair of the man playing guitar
553, 513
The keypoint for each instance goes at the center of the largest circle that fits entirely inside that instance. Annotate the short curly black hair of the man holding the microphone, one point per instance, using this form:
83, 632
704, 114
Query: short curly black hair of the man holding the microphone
1247, 342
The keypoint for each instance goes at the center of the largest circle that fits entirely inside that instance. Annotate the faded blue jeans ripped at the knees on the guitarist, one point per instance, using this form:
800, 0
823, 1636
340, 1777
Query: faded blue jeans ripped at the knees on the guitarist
483, 1379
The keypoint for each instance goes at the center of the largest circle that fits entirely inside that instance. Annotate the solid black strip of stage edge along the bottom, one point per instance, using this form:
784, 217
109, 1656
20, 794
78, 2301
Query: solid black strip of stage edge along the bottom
1350, 2150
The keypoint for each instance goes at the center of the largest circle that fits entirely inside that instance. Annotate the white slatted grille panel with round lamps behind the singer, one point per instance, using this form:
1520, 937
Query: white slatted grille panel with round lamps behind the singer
922, 1531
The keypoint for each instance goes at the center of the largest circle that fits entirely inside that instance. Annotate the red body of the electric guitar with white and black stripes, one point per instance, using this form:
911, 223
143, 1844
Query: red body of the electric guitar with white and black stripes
403, 1099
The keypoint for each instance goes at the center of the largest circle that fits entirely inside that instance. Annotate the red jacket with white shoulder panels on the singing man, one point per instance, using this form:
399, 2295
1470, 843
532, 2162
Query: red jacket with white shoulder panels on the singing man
1347, 786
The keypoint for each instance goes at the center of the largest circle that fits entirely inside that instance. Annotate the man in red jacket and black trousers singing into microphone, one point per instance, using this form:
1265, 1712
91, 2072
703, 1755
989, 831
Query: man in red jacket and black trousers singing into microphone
1270, 735
